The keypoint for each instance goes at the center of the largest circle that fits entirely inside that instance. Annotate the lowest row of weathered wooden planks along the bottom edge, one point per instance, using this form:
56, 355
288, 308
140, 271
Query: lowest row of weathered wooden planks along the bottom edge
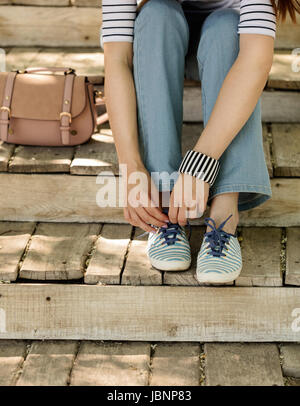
99, 363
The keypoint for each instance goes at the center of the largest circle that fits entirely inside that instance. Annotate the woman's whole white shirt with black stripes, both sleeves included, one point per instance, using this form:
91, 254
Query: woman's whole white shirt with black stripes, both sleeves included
256, 17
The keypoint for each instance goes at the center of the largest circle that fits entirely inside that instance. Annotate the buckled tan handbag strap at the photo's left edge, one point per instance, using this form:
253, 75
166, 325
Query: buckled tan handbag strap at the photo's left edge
6, 104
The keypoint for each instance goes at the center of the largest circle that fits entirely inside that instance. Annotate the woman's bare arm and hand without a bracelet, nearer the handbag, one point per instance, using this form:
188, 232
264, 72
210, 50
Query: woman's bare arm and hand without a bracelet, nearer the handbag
121, 107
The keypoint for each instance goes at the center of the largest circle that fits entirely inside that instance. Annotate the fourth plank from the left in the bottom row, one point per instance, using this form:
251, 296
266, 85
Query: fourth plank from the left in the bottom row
175, 364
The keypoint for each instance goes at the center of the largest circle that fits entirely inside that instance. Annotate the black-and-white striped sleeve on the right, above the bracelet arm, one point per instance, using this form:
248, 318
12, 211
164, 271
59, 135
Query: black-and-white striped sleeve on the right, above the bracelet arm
257, 17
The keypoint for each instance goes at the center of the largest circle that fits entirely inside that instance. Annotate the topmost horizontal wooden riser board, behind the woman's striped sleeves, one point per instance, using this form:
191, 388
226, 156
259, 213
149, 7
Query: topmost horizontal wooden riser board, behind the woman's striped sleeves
82, 22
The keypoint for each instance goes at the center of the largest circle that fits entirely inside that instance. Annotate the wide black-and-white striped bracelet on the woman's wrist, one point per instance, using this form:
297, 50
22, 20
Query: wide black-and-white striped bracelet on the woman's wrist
201, 166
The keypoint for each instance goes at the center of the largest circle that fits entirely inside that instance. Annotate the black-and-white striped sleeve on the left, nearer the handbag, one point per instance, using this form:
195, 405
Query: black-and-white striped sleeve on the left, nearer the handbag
118, 18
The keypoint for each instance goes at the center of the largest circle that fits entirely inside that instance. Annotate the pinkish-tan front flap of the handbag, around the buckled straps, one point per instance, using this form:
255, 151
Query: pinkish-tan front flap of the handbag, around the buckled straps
40, 96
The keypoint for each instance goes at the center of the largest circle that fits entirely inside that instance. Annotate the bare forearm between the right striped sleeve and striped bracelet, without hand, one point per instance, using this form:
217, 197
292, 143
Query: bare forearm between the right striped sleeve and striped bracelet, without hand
239, 94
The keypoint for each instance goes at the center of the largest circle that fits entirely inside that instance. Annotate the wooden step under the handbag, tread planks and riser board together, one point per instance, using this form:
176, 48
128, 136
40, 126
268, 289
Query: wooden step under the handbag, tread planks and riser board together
51, 176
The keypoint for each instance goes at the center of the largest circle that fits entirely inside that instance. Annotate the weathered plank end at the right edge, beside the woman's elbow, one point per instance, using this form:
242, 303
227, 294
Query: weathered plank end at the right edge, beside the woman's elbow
282, 75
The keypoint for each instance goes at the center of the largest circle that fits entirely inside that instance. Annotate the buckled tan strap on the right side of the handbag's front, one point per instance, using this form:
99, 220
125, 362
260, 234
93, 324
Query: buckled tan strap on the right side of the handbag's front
65, 115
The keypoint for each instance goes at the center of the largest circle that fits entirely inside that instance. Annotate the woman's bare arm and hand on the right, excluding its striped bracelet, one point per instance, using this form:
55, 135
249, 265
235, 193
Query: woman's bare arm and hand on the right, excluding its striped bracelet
236, 101
